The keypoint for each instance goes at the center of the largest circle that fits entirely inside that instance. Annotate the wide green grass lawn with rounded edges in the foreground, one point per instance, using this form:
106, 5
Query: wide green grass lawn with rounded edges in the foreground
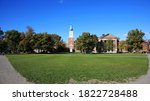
61, 68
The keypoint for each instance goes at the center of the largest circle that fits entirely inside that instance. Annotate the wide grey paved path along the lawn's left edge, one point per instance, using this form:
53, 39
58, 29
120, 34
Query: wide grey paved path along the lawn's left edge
8, 74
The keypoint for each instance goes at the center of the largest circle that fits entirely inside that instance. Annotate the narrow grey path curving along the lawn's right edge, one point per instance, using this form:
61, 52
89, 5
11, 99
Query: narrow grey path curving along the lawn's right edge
145, 79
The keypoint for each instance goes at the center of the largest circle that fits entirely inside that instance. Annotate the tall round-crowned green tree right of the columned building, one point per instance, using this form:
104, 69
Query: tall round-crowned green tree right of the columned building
134, 40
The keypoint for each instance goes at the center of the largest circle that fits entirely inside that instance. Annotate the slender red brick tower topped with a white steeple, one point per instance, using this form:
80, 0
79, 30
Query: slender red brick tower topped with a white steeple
71, 39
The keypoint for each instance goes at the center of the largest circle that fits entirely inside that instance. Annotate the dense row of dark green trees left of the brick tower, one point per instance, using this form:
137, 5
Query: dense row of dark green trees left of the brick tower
31, 42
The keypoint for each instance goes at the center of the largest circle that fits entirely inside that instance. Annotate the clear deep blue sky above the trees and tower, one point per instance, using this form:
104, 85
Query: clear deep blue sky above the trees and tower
95, 16
